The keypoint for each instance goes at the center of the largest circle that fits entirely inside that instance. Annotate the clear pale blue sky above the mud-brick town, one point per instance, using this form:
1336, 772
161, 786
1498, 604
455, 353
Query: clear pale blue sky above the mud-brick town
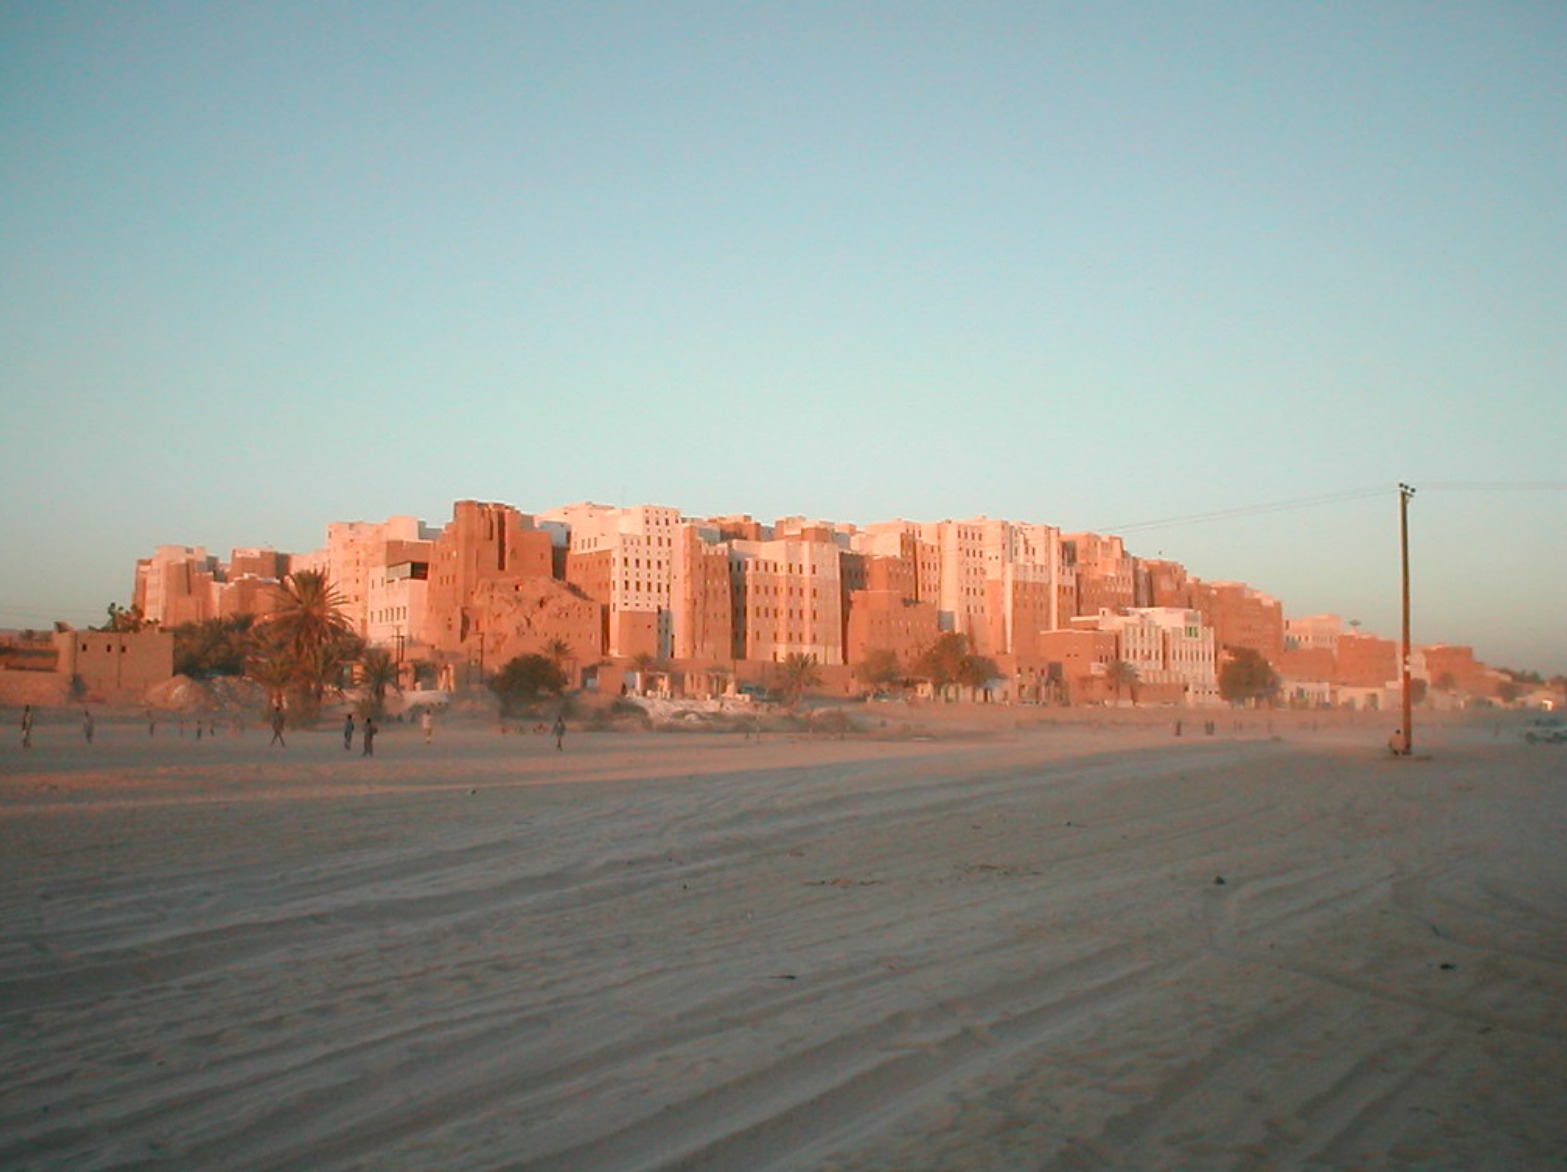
1215, 277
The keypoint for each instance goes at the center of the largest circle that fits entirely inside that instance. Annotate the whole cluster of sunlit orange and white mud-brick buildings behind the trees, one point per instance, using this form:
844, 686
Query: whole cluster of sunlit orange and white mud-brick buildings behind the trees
718, 602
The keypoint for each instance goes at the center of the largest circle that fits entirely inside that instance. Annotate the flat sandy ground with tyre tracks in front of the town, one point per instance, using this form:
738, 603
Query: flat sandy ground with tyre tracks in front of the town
1076, 946
